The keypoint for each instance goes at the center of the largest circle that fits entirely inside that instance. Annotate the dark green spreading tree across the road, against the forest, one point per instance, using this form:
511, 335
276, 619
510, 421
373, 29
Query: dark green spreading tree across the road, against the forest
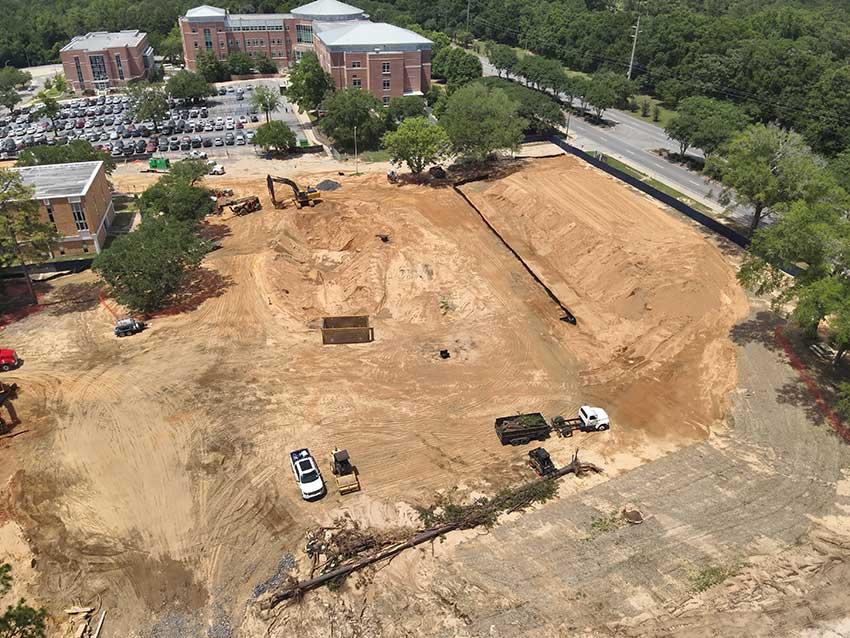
705, 123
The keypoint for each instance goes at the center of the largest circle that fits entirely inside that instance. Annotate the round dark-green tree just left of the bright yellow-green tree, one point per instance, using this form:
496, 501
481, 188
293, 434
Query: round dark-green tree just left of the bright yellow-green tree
352, 108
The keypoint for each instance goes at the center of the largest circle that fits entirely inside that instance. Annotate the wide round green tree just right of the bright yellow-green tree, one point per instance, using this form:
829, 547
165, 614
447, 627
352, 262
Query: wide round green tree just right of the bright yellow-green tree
479, 121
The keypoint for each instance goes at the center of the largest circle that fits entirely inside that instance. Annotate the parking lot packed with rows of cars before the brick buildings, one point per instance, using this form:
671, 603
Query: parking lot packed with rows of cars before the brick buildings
219, 126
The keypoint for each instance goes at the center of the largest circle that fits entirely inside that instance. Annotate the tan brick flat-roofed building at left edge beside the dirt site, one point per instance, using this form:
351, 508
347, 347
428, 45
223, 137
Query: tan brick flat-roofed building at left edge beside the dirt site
77, 199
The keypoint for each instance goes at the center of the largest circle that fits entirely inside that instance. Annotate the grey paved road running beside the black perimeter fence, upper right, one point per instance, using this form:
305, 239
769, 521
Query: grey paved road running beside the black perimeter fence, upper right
633, 141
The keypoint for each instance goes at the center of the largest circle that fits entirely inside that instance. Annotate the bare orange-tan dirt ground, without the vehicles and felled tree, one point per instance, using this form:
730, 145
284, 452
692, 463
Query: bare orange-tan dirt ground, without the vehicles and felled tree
154, 478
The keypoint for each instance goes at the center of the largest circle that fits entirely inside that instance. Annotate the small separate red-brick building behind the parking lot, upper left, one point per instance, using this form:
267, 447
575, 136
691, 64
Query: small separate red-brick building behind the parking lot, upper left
101, 60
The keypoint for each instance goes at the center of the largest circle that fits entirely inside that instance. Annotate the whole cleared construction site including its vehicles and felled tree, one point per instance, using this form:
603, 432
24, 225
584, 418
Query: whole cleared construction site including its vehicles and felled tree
382, 328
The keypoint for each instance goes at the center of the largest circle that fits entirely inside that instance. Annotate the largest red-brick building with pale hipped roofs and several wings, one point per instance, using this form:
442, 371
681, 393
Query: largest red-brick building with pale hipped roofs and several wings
381, 58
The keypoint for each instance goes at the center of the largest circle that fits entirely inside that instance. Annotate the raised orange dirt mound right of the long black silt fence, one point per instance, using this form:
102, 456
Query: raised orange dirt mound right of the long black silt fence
654, 299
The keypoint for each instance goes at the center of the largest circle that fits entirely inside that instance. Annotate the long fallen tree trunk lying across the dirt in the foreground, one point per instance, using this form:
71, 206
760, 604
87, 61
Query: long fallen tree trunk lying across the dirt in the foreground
297, 590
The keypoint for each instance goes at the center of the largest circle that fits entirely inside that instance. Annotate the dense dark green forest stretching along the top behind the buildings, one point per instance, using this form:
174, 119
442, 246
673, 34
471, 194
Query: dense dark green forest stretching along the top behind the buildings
782, 61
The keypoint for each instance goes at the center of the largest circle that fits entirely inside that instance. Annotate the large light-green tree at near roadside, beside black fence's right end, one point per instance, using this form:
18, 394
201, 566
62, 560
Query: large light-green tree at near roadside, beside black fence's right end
766, 168
